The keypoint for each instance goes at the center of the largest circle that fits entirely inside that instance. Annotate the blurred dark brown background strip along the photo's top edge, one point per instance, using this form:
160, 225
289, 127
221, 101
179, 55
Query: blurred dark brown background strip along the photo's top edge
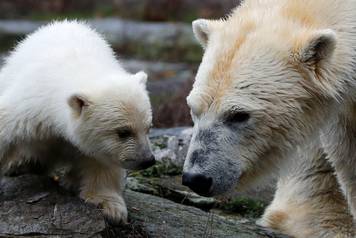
142, 10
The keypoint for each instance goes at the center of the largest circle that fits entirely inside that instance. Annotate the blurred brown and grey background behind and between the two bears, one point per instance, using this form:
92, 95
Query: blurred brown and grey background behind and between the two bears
156, 37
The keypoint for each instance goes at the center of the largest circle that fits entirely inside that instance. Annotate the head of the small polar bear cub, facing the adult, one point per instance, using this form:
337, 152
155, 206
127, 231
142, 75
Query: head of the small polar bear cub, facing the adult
112, 123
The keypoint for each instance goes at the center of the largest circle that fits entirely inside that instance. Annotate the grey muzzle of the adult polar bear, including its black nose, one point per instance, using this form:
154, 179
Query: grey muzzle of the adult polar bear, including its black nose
209, 168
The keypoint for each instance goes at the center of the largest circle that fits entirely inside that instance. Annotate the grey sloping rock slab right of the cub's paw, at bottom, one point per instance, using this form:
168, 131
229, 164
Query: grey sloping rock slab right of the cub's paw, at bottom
163, 218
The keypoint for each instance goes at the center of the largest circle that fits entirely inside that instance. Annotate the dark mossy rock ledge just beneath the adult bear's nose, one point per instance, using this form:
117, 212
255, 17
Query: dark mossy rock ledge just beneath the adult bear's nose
164, 181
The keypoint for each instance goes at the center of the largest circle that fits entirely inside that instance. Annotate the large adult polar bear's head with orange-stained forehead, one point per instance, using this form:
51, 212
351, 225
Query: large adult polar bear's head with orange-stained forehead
259, 92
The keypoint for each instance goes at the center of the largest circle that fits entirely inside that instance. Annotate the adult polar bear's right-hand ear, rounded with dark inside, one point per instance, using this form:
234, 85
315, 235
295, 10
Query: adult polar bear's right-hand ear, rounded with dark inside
318, 47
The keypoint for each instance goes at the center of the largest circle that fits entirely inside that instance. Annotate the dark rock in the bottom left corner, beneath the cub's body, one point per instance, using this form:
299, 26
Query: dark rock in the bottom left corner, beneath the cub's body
35, 206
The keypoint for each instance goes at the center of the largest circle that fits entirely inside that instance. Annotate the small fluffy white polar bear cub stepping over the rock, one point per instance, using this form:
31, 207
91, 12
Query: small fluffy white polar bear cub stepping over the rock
64, 97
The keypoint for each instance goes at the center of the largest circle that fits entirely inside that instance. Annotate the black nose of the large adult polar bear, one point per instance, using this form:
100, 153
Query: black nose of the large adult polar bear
199, 183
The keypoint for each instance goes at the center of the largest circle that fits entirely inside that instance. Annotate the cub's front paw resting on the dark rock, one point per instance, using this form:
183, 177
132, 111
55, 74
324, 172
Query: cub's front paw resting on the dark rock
113, 207
